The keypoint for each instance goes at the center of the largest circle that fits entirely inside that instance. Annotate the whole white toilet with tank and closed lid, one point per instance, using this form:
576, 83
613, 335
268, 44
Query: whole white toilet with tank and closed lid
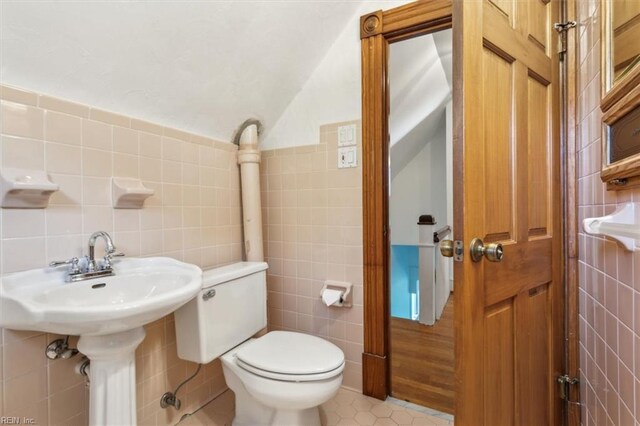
278, 379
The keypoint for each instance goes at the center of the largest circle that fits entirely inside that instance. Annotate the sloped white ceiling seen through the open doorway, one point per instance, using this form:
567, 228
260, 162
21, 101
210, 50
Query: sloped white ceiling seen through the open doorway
420, 81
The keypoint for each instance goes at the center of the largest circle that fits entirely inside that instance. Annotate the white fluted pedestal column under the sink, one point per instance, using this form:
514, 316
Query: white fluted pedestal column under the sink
112, 393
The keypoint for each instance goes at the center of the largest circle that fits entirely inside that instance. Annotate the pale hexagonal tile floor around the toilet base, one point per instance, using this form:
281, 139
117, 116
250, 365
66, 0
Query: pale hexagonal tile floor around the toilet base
347, 408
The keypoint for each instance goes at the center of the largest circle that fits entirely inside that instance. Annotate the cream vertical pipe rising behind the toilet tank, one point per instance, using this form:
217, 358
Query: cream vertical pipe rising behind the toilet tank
249, 160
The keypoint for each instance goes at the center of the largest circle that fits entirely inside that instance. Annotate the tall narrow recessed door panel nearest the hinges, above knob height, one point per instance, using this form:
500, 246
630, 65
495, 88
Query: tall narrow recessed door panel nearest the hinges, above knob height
539, 151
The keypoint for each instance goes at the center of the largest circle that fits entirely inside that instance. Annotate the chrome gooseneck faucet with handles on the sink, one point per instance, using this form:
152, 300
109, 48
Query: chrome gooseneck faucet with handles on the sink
83, 270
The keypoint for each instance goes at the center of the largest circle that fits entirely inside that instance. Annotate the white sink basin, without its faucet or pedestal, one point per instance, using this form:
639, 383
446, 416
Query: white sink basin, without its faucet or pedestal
141, 291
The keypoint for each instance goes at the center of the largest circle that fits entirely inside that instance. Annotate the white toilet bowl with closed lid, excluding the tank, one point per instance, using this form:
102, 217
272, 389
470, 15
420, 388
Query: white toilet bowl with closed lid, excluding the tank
282, 378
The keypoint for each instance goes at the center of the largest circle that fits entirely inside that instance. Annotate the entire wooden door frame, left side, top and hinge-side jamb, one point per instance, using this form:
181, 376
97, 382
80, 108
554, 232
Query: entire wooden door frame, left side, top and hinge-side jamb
377, 30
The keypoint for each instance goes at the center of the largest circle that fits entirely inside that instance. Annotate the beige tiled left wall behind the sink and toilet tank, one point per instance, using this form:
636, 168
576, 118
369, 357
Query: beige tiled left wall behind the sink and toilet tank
194, 216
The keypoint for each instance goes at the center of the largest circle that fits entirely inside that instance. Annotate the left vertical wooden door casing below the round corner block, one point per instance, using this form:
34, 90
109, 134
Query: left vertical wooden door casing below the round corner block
375, 209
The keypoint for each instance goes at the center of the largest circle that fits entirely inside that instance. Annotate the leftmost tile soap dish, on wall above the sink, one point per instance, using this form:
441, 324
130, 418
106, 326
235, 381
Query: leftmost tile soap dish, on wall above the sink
25, 189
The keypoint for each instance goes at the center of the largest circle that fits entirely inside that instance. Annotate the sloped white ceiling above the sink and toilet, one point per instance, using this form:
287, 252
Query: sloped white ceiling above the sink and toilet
203, 67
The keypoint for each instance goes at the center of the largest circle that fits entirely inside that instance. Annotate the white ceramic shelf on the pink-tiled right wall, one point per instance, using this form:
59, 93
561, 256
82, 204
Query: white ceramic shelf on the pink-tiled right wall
622, 225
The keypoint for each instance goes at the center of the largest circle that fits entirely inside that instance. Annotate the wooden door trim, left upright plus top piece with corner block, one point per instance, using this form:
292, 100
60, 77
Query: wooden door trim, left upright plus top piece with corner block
377, 30
